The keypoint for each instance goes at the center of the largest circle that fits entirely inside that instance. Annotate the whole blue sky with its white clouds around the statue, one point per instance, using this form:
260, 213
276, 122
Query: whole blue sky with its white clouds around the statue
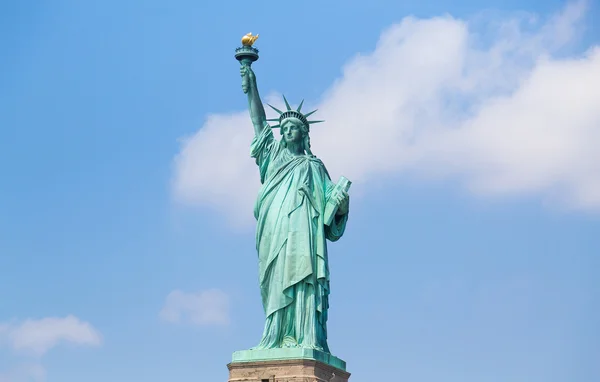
469, 131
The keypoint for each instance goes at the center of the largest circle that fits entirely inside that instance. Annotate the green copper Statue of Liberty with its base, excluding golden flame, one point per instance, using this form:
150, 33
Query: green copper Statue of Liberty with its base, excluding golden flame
298, 209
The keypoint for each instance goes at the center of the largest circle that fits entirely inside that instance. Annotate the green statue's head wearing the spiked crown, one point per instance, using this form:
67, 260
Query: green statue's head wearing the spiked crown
293, 125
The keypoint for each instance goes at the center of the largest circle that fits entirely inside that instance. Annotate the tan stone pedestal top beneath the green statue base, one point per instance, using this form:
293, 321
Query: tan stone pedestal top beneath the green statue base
285, 370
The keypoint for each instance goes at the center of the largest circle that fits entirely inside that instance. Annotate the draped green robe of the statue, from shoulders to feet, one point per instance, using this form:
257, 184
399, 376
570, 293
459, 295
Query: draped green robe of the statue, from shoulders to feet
291, 244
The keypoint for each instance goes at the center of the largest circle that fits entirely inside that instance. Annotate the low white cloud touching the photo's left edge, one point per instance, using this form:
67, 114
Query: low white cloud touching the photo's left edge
36, 337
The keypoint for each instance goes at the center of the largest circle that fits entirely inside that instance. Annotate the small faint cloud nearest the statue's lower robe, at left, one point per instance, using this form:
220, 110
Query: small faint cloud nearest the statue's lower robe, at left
210, 307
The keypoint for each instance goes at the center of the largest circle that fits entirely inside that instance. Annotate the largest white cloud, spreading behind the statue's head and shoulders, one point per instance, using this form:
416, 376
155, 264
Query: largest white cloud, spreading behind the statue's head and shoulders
438, 98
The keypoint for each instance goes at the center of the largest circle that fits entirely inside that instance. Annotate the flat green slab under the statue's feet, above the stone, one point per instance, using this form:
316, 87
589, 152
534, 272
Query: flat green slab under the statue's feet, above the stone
283, 354
